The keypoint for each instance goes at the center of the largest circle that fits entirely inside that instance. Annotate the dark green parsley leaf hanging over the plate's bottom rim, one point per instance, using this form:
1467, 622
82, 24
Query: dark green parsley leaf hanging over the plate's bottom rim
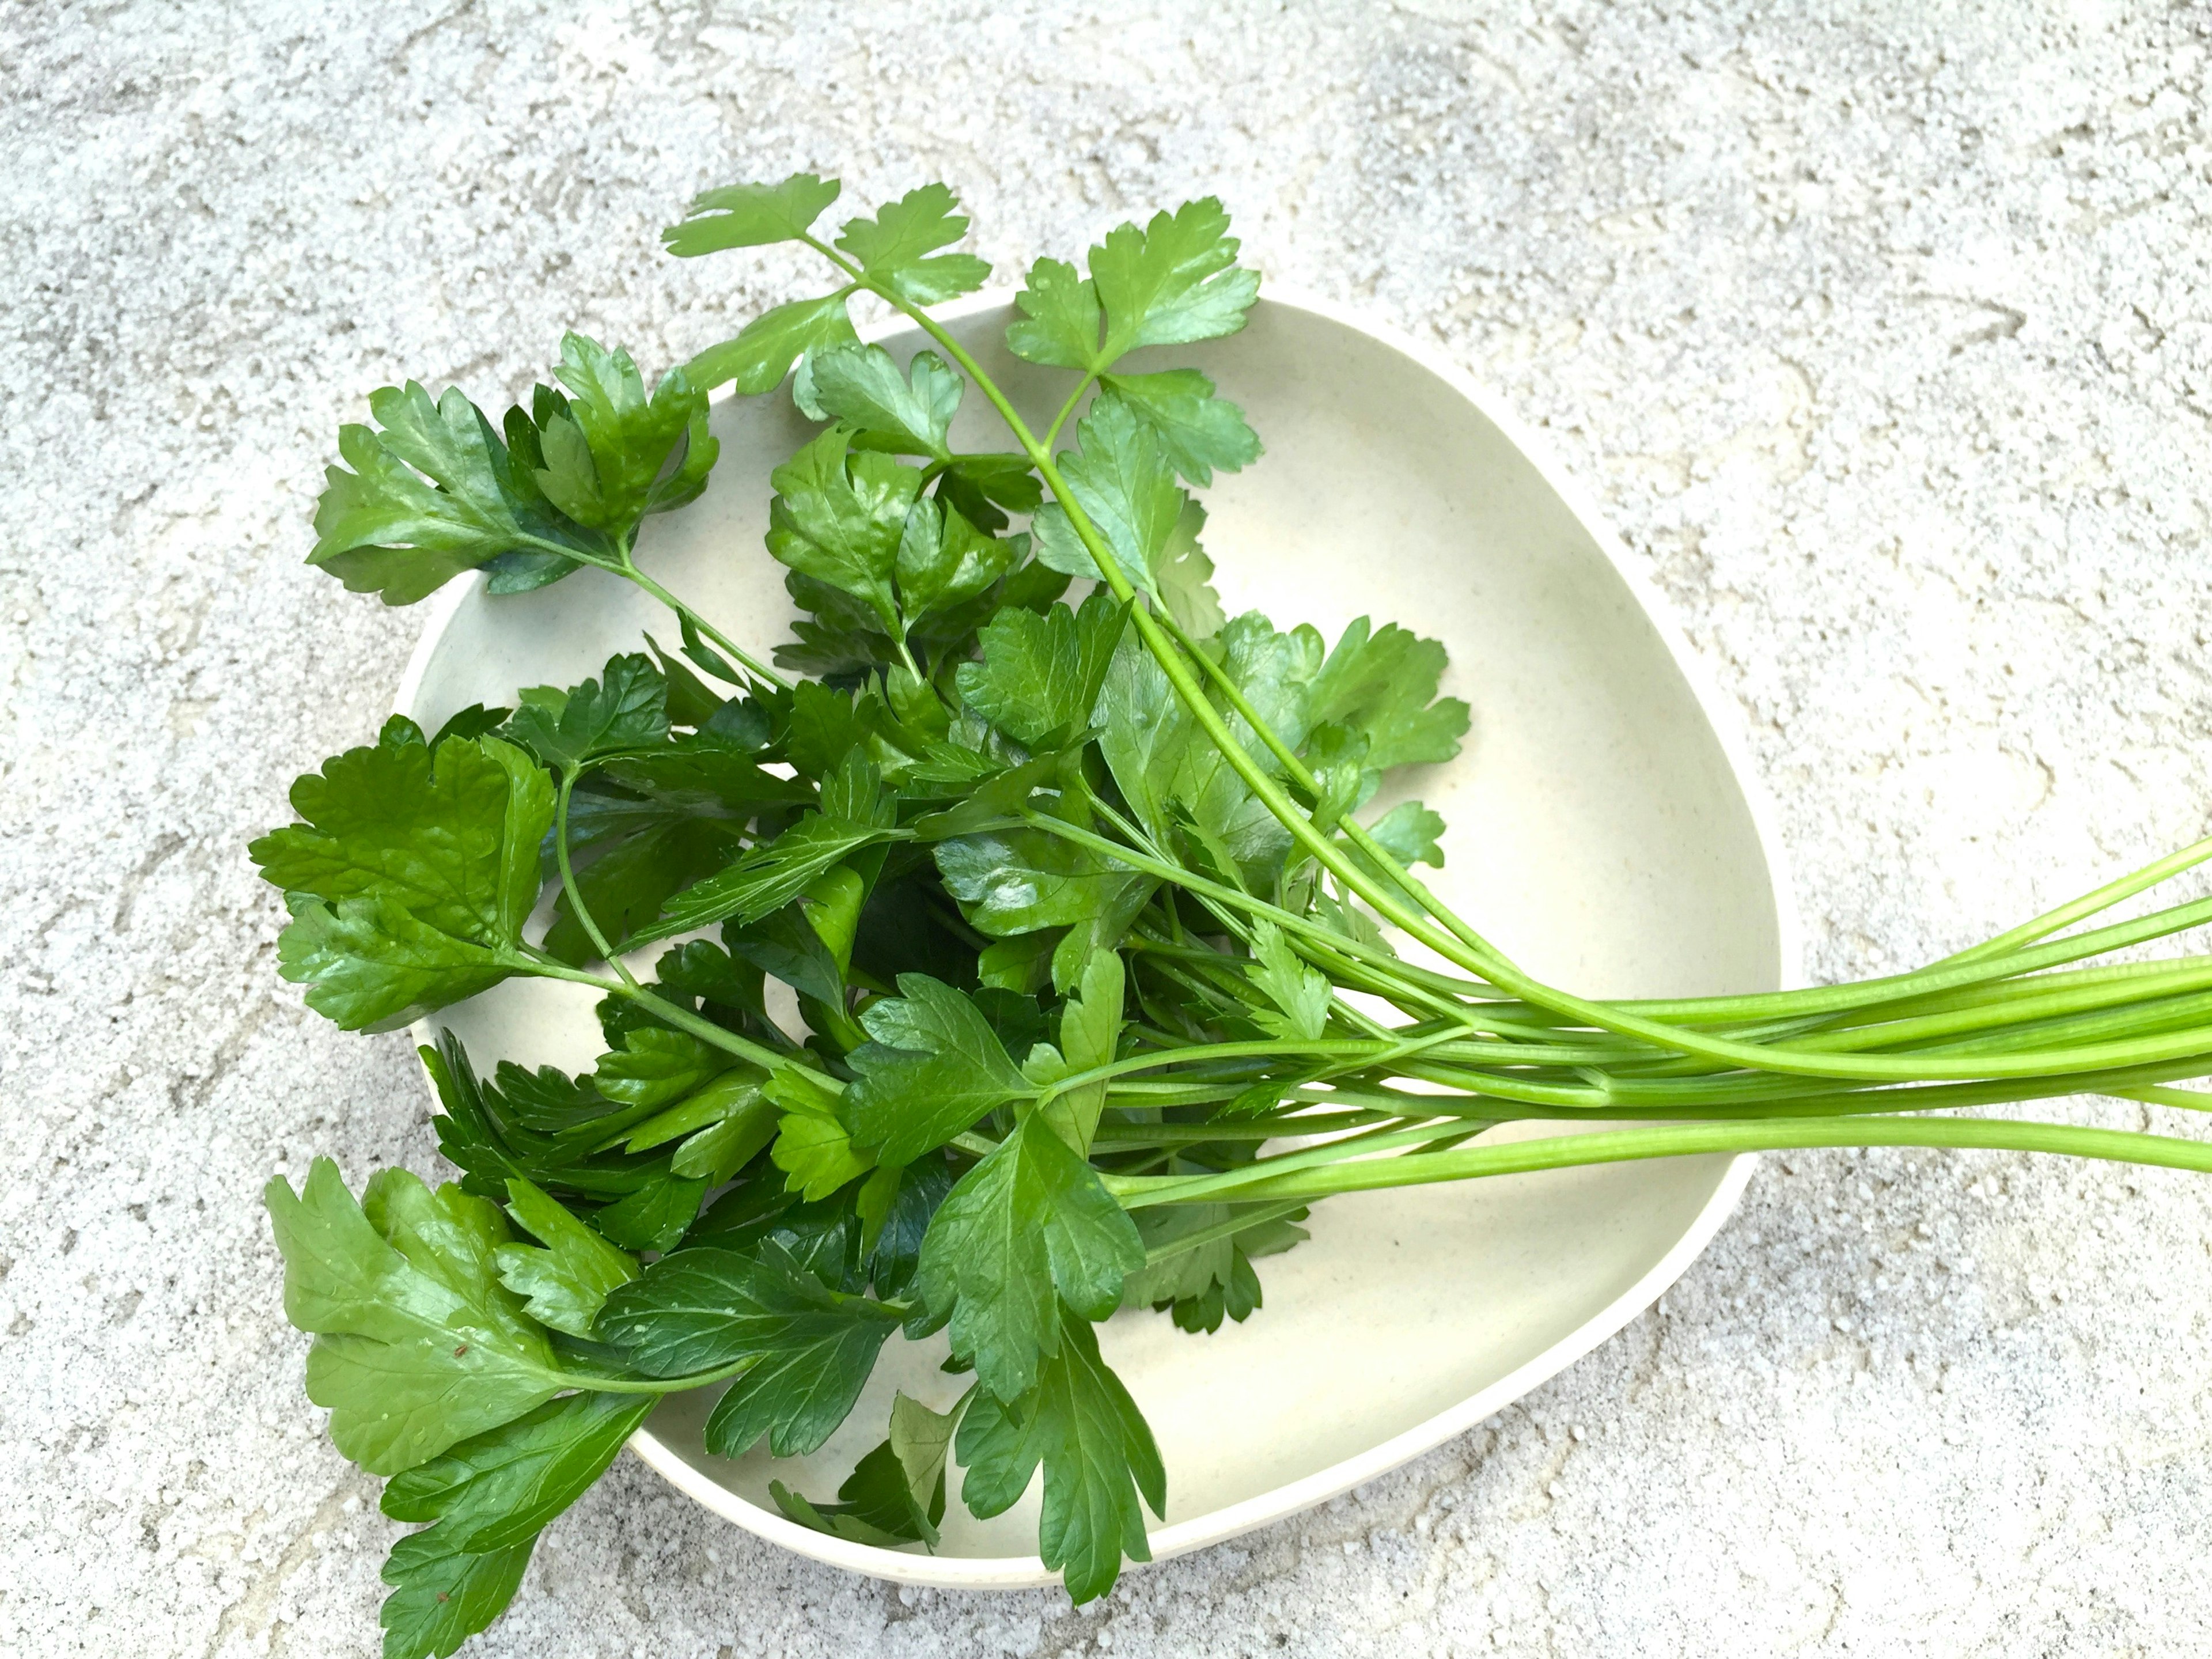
1098, 1459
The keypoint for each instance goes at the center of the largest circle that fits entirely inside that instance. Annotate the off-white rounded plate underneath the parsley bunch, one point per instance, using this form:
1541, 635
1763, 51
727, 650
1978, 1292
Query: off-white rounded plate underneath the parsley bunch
1605, 831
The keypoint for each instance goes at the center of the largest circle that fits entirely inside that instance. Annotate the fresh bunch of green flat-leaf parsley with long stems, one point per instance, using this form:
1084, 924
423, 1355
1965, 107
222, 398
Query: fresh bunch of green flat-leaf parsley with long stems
1076, 888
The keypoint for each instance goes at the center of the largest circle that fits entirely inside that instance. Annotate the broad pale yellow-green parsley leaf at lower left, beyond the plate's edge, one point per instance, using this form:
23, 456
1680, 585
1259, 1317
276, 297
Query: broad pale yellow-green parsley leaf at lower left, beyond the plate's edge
417, 1342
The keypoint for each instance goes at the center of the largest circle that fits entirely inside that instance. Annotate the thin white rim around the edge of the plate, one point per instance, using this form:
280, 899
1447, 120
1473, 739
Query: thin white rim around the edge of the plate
1280, 1503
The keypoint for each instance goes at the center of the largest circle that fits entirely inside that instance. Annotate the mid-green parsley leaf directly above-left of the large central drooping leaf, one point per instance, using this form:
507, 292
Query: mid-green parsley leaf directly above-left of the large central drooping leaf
932, 1070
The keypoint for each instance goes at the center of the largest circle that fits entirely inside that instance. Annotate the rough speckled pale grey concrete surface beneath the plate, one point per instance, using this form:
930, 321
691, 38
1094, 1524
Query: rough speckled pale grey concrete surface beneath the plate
1886, 337
